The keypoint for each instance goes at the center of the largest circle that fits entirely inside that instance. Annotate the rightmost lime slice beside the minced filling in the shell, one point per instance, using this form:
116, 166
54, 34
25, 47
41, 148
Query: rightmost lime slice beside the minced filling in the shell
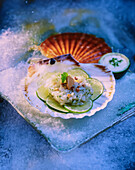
97, 87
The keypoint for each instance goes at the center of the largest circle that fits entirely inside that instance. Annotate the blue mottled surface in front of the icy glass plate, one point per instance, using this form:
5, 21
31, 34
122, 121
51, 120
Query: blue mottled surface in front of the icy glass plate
21, 147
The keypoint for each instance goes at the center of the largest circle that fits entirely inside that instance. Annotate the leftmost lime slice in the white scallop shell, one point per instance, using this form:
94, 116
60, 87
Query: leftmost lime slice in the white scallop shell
42, 93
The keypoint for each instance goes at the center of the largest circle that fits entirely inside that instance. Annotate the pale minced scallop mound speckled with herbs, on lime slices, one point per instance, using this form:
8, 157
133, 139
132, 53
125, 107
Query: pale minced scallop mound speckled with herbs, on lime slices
80, 92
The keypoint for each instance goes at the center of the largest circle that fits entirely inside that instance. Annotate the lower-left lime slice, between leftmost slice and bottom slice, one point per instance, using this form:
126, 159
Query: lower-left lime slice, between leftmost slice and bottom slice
53, 104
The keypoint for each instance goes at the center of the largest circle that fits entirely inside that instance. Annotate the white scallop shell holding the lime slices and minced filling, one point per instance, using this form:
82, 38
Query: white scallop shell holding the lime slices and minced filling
36, 70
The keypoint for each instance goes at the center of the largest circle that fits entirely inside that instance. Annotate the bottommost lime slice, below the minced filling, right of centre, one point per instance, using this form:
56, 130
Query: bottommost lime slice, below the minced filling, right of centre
79, 109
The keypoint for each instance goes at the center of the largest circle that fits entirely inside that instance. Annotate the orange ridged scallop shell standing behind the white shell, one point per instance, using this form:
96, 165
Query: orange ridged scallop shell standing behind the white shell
85, 48
